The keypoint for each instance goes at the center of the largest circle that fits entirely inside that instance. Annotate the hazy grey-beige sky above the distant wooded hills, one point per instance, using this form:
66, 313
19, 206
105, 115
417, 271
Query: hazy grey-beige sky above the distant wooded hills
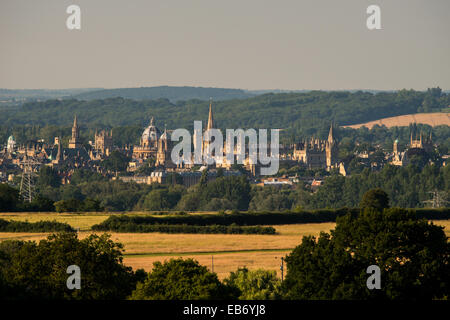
248, 44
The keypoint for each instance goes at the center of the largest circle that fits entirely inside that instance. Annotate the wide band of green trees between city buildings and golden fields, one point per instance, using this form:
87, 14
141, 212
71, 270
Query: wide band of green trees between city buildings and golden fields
408, 187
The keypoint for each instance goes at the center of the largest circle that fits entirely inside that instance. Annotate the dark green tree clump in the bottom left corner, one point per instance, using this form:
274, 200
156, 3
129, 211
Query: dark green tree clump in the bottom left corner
40, 270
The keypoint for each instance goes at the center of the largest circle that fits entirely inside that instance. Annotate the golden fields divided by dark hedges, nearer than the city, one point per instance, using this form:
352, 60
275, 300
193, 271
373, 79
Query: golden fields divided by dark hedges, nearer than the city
228, 252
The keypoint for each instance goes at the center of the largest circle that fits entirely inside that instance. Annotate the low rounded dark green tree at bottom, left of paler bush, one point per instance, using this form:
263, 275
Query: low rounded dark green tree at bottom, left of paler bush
179, 279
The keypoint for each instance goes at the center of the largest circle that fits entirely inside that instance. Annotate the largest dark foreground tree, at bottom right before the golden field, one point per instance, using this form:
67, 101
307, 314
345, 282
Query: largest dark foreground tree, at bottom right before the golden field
413, 255
